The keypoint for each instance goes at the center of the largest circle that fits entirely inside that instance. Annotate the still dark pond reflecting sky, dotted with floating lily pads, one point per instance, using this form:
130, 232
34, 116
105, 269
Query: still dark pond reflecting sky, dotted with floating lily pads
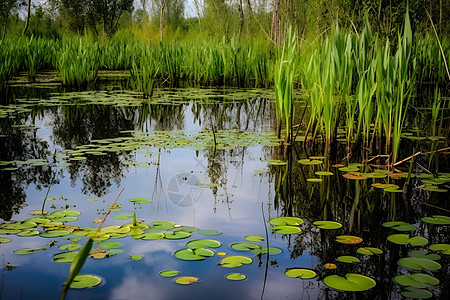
204, 165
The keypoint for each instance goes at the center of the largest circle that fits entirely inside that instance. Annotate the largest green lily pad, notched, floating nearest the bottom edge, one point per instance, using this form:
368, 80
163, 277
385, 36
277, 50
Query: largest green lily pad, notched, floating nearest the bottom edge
352, 282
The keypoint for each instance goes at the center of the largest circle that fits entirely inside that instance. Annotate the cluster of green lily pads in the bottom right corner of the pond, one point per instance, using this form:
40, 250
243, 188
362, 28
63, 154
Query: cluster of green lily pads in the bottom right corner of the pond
415, 285
